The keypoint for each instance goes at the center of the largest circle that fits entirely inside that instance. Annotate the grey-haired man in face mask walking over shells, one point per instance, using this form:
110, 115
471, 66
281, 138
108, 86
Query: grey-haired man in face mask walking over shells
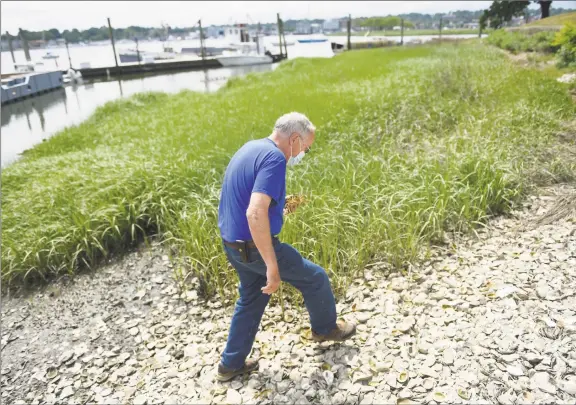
250, 219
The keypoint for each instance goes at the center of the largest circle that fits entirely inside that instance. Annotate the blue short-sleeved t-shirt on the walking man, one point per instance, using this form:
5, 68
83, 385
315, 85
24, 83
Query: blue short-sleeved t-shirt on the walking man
258, 166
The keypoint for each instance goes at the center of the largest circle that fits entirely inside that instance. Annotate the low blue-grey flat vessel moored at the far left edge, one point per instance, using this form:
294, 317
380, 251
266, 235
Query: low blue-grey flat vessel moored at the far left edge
19, 87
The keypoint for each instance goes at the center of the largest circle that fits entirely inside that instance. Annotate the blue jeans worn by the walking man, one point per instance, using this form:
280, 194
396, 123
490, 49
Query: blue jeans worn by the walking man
309, 278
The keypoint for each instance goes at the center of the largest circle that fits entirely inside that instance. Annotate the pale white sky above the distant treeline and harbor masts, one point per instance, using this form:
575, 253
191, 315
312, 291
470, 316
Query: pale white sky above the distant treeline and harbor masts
43, 15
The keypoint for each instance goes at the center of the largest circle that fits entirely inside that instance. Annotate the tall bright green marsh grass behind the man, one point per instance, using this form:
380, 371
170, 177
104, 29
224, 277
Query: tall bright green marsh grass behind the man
411, 142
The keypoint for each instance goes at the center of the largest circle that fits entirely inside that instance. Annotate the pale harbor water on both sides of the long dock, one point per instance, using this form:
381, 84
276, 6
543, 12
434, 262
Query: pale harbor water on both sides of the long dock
29, 122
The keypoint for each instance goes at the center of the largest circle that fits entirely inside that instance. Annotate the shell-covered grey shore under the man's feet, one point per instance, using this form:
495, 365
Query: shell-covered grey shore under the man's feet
492, 320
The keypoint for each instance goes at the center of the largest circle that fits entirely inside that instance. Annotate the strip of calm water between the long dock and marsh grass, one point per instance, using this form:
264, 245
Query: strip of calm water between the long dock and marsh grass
30, 121
